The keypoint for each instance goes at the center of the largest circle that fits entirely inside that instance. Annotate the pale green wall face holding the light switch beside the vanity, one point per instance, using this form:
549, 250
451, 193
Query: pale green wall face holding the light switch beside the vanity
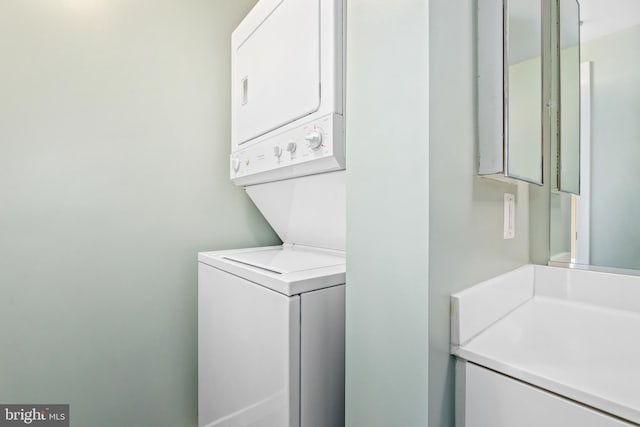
466, 242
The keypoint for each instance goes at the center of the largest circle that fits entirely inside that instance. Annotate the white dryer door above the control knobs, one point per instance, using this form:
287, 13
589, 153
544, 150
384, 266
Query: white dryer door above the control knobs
277, 69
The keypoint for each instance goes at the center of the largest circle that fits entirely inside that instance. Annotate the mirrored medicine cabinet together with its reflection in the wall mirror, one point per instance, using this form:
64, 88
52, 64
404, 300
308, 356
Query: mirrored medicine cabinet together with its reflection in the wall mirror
528, 90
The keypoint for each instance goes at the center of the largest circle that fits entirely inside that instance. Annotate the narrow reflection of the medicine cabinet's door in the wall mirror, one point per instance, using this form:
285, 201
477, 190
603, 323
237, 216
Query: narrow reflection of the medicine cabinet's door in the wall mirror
569, 138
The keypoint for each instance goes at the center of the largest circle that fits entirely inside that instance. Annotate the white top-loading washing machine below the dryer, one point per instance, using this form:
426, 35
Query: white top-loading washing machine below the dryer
271, 337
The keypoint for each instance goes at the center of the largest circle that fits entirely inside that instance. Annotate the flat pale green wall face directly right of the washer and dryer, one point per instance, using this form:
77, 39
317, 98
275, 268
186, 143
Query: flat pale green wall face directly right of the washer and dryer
387, 213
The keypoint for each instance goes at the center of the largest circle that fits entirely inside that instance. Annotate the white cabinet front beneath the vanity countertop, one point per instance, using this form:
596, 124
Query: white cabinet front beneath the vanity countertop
488, 399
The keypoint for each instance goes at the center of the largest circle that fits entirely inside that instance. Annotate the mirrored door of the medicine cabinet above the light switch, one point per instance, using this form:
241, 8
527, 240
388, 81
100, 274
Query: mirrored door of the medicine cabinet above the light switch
524, 96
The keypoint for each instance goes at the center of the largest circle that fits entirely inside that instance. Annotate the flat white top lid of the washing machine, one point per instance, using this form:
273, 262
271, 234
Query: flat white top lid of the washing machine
282, 261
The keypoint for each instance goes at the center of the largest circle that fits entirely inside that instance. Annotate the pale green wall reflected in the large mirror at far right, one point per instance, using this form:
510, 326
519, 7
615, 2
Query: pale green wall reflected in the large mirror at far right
615, 142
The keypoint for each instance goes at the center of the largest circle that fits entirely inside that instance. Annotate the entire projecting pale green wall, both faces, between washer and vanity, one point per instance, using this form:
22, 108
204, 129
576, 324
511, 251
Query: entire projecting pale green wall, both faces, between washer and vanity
420, 223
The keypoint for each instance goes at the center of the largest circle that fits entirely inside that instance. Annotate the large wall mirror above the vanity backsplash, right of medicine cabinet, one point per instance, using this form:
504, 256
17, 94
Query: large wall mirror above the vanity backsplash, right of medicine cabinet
601, 225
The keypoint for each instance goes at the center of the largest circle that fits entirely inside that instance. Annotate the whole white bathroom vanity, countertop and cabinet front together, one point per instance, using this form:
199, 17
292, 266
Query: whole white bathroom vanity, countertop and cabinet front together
546, 346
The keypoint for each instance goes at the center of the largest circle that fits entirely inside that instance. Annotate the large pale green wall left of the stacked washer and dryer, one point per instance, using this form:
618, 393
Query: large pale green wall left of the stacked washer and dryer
114, 142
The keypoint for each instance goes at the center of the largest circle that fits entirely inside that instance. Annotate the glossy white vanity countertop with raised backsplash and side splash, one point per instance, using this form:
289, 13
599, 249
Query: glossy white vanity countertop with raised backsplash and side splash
574, 333
